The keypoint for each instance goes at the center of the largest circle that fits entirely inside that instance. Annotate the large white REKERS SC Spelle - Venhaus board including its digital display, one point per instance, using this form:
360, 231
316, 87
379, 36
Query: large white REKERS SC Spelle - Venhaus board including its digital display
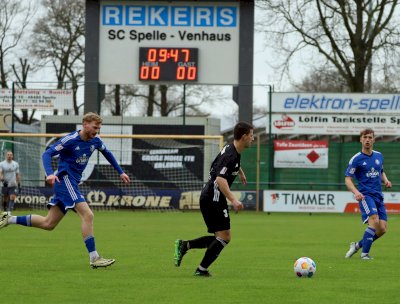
169, 42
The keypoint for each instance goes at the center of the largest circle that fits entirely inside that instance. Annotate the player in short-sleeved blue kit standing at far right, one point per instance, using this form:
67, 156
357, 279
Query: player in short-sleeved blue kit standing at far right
367, 168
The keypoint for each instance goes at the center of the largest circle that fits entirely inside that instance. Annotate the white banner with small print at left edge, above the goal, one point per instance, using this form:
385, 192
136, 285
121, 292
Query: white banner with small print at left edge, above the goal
36, 99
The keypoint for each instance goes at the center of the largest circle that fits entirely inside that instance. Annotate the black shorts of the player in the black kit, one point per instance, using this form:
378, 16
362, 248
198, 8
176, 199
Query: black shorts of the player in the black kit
215, 214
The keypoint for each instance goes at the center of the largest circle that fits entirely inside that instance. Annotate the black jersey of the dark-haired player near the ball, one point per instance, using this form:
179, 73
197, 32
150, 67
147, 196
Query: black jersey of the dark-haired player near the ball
226, 165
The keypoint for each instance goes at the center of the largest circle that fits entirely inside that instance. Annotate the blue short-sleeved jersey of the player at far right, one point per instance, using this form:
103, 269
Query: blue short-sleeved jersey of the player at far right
367, 170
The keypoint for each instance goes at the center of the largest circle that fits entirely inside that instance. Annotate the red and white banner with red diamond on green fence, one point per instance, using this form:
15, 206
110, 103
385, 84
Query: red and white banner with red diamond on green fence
300, 154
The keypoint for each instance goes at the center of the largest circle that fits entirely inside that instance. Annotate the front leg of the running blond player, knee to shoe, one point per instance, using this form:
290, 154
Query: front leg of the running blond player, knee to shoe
86, 215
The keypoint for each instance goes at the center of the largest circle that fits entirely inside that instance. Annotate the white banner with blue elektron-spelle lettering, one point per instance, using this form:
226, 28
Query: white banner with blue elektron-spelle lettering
361, 103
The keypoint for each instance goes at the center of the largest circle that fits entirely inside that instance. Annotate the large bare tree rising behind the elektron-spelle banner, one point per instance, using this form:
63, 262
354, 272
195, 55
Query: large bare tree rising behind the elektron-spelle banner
343, 34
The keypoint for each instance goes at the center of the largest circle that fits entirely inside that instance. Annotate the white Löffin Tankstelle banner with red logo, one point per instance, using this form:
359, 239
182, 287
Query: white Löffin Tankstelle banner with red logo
330, 124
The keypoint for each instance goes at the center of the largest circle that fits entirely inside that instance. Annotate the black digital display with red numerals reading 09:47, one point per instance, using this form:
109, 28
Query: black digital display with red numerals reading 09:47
168, 64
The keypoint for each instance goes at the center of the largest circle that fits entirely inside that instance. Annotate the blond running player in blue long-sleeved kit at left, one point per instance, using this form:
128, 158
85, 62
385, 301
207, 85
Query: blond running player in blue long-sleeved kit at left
73, 152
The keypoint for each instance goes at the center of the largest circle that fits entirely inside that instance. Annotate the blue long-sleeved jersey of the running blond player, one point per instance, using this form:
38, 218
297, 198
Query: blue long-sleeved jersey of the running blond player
74, 154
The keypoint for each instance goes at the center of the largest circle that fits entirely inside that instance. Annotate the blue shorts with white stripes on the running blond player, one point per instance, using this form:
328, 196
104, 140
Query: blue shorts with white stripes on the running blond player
66, 194
